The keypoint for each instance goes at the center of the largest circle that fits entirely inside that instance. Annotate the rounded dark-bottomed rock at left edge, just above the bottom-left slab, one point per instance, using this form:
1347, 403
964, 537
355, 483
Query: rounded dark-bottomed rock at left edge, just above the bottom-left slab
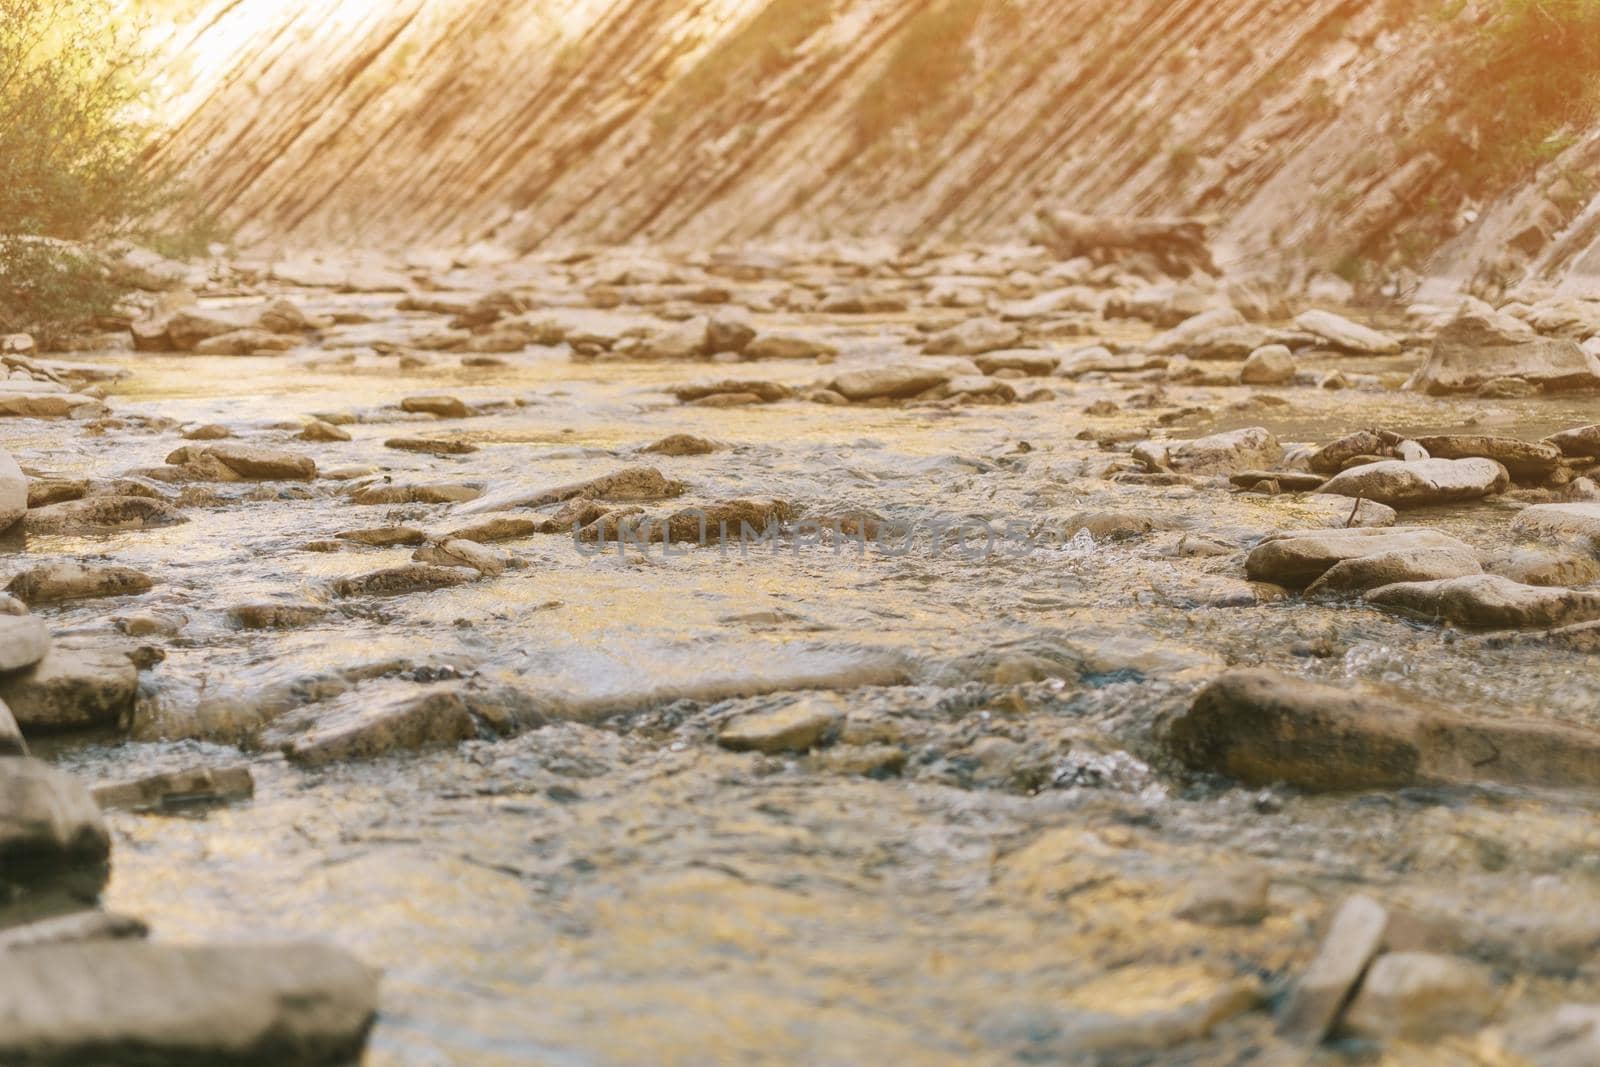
49, 825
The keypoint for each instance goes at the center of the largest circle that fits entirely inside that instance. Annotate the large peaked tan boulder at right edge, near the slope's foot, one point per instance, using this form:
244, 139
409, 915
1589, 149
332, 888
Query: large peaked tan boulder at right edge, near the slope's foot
1482, 346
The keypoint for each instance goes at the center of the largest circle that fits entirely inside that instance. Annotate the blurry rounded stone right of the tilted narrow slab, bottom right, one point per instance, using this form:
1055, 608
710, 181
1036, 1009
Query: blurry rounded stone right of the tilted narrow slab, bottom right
1422, 996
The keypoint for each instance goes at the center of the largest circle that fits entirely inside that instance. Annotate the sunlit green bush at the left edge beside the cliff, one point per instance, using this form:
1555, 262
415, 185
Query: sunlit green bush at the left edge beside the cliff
73, 172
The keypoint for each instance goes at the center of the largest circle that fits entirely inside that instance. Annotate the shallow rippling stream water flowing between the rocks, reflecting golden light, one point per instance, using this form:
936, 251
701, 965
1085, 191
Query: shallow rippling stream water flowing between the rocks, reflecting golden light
988, 860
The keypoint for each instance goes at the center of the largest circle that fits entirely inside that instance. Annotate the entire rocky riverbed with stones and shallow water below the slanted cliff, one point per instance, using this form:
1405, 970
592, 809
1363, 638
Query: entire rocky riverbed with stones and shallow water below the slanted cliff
814, 655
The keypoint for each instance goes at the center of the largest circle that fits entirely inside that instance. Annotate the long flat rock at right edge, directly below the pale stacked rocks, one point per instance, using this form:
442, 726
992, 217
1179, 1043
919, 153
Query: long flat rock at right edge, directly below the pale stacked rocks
1489, 602
